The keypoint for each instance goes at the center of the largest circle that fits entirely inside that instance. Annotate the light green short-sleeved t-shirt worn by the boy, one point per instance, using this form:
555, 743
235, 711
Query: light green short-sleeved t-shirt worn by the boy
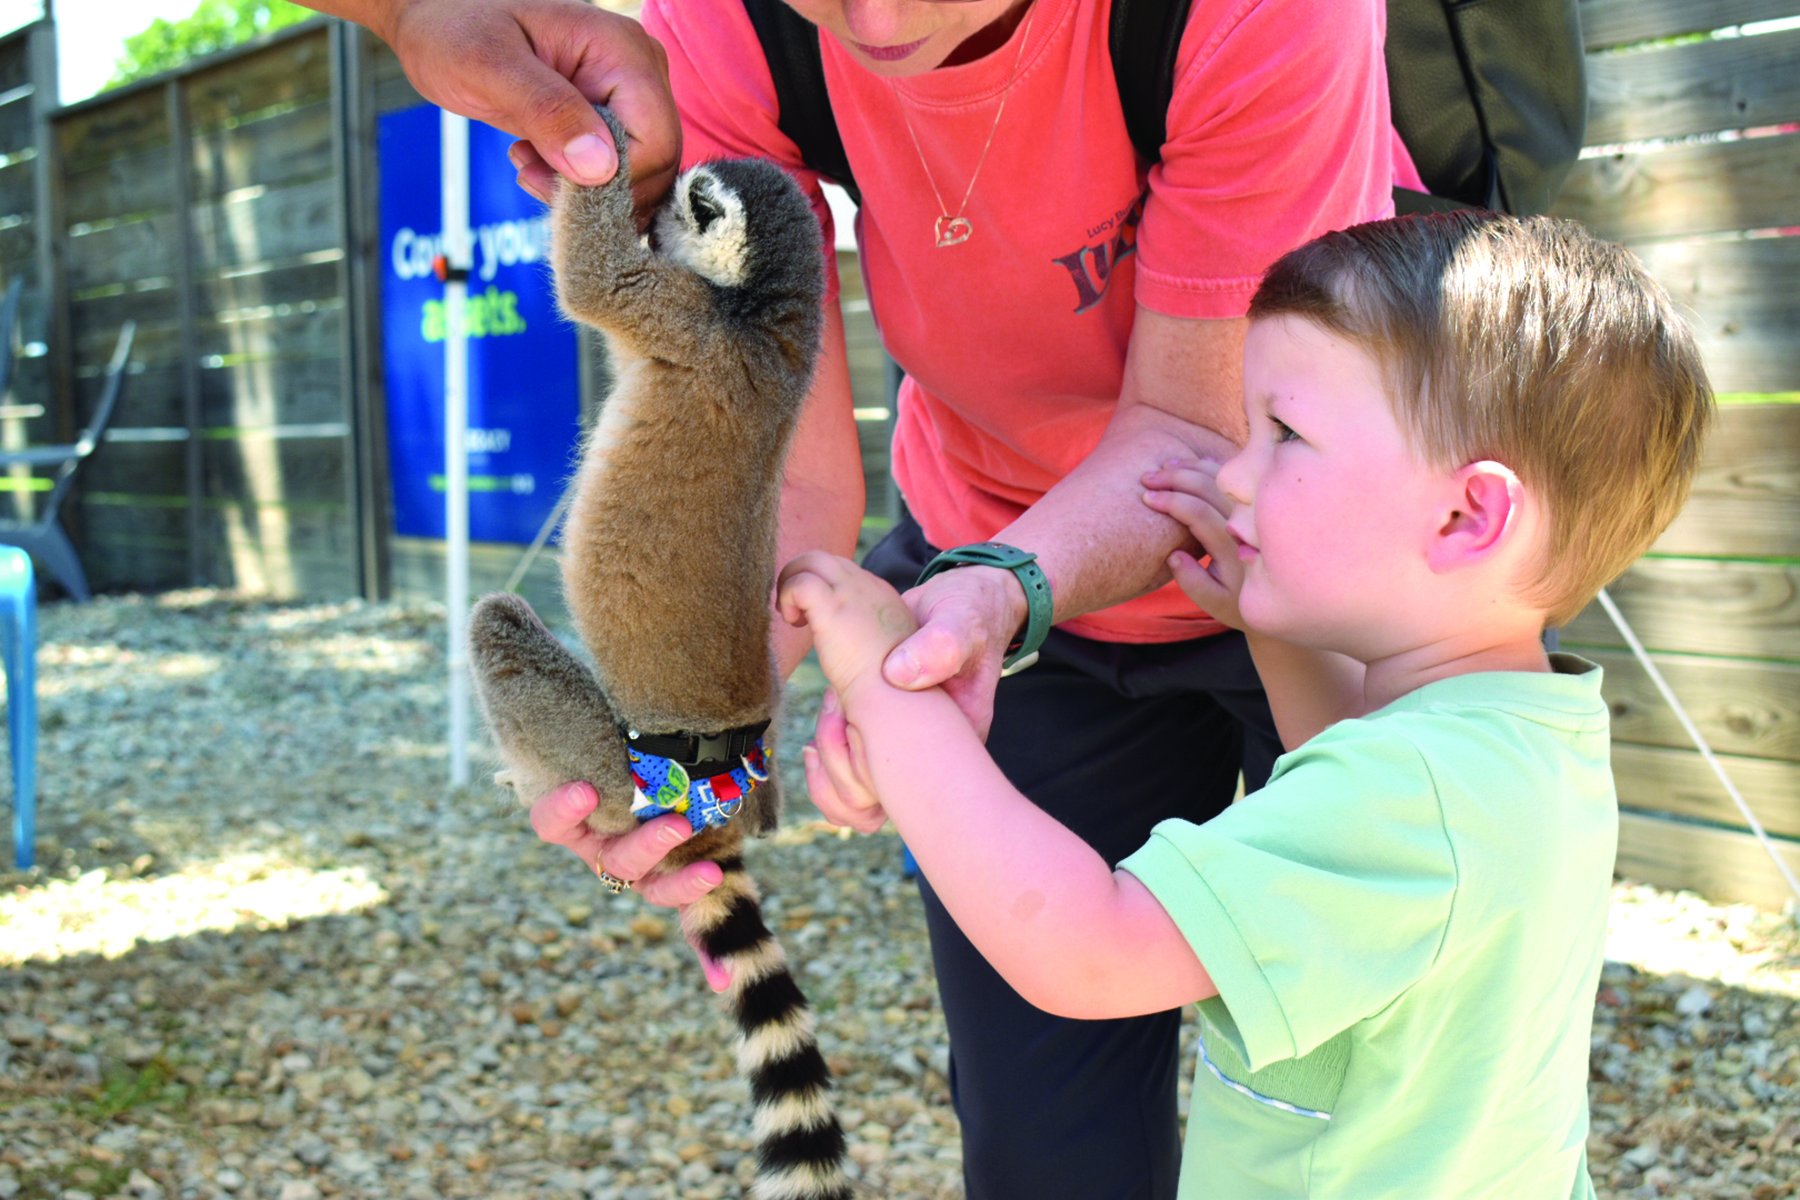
1407, 931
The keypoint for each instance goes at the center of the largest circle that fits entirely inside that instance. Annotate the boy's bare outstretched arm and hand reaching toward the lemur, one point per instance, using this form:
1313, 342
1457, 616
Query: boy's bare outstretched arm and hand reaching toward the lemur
1068, 933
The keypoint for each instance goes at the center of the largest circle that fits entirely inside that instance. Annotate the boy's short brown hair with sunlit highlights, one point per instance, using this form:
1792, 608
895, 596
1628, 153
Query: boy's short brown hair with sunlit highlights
1531, 343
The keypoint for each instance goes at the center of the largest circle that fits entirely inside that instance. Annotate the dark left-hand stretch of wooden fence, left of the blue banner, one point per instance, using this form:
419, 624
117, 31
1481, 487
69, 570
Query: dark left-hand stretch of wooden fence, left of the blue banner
220, 210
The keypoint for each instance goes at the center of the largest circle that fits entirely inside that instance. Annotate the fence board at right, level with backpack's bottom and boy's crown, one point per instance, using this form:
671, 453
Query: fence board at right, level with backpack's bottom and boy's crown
1687, 190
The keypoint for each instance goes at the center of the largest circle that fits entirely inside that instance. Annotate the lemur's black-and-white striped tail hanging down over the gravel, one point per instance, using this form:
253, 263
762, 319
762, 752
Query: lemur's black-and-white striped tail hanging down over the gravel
800, 1145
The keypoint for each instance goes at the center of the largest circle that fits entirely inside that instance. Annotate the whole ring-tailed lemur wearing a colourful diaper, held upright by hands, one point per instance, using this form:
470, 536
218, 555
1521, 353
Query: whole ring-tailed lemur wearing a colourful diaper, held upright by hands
669, 564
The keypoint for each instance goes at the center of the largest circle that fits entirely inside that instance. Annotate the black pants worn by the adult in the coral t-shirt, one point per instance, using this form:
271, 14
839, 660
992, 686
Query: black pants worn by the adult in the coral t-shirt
1110, 740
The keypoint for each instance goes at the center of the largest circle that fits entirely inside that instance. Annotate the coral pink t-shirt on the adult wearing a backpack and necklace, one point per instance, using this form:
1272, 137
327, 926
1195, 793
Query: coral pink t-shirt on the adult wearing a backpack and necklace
1014, 343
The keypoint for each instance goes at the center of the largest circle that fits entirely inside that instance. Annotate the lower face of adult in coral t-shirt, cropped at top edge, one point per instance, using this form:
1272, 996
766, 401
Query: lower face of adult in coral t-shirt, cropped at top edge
899, 39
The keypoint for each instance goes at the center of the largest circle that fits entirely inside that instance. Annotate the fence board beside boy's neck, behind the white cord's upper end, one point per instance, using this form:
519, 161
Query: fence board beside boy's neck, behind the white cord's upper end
1702, 607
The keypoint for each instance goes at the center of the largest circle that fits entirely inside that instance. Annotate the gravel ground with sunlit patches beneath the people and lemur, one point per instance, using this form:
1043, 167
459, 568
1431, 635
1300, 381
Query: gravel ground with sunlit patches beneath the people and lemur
271, 954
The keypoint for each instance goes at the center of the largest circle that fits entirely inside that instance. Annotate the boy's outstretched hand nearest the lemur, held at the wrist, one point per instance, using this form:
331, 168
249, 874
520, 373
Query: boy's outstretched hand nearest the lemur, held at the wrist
854, 618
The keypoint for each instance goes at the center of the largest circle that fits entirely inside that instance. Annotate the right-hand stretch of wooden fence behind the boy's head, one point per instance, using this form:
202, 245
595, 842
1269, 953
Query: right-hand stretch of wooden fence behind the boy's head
1695, 163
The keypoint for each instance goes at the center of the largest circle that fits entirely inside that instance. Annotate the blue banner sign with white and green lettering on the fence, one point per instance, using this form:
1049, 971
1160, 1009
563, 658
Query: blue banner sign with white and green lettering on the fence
523, 375
